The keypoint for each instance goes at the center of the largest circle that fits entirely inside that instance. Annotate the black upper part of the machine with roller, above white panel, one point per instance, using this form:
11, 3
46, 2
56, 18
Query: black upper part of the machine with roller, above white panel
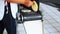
27, 14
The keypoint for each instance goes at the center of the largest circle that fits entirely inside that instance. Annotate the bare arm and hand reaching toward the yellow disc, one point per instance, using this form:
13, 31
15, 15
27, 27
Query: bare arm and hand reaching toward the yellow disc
28, 3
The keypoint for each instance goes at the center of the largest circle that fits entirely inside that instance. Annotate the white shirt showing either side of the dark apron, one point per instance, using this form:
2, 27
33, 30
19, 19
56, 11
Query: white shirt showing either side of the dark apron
14, 9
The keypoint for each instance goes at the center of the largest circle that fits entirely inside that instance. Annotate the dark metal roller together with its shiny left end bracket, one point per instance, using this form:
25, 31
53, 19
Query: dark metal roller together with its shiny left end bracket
28, 16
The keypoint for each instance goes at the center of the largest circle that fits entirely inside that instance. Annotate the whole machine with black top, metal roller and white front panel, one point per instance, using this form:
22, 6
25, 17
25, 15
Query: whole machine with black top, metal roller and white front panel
28, 21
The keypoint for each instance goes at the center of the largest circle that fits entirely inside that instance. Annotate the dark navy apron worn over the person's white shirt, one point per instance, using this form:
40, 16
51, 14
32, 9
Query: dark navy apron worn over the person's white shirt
8, 22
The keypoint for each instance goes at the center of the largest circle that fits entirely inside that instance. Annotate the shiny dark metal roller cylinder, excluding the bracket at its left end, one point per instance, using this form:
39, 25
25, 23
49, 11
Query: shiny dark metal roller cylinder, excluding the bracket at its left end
31, 16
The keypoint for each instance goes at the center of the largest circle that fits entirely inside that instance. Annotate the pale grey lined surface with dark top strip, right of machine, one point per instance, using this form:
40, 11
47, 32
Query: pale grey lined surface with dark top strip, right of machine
51, 16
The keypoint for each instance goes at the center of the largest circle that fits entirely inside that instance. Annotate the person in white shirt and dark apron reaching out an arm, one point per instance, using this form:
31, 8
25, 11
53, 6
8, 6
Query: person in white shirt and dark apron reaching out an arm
7, 18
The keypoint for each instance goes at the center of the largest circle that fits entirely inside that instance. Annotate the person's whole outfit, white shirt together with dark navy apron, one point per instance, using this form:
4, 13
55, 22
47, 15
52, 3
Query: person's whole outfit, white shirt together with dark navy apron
7, 20
